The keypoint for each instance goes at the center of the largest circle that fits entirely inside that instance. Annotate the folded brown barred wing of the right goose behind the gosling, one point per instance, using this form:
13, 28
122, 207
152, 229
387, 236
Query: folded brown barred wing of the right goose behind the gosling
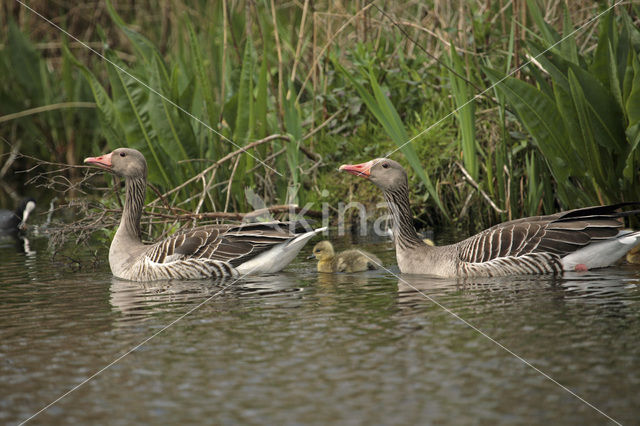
558, 234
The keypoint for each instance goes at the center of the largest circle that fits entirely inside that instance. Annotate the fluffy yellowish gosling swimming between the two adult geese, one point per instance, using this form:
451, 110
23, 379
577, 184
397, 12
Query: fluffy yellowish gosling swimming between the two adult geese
354, 260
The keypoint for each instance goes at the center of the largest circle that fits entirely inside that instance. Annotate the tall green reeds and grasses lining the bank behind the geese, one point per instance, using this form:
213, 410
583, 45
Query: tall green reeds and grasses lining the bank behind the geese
190, 84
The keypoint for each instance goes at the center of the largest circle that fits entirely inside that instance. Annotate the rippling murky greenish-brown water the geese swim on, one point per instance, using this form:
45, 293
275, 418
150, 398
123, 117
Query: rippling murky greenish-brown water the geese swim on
305, 348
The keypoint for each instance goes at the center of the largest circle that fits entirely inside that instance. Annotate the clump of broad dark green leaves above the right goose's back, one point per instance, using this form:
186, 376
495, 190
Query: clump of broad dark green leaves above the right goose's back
583, 113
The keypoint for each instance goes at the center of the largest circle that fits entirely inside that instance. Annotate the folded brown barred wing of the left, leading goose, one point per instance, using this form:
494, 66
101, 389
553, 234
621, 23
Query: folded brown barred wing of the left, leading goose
233, 244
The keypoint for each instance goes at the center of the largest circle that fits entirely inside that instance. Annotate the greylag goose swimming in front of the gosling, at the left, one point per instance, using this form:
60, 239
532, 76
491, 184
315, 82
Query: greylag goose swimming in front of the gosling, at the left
213, 251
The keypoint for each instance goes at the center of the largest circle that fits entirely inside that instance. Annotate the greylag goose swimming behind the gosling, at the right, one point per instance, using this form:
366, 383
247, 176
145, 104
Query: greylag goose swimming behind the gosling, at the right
575, 240
